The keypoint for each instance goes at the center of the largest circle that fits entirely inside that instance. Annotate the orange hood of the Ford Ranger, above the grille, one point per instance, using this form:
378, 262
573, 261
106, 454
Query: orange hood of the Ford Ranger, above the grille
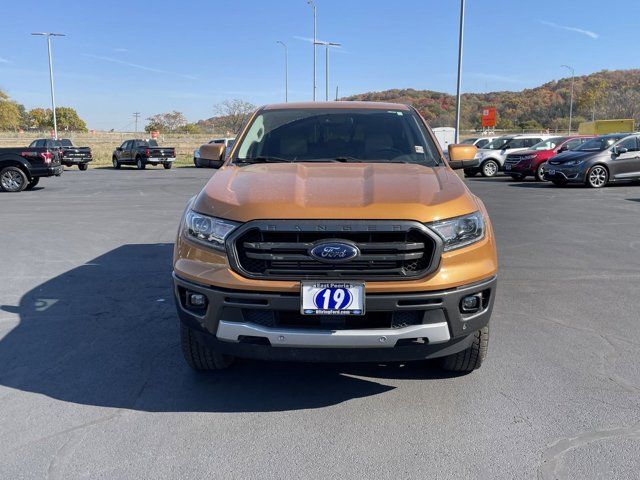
335, 191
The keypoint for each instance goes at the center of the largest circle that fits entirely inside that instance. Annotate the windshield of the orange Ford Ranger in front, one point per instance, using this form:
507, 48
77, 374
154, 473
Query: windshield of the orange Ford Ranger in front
354, 135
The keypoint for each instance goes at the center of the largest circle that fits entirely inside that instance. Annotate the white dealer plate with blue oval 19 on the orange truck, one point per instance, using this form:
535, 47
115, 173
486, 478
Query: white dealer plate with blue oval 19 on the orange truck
332, 298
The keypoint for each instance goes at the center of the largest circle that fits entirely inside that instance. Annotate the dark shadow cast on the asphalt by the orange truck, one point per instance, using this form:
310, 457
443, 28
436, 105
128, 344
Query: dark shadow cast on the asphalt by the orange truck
106, 334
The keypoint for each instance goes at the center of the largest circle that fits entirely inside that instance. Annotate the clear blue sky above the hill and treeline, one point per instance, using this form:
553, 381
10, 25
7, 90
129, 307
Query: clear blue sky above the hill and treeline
156, 56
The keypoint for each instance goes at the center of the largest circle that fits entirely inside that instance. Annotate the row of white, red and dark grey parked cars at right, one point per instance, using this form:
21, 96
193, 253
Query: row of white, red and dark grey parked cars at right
589, 159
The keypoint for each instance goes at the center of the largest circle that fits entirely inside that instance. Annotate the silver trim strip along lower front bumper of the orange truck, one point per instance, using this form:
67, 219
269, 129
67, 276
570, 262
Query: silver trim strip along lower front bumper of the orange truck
373, 338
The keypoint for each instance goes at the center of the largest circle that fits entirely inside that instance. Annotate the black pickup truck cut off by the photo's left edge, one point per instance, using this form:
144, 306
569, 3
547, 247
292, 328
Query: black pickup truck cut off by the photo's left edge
22, 168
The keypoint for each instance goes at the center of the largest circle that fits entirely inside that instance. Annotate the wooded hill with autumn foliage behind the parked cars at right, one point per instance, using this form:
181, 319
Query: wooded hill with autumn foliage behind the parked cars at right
605, 94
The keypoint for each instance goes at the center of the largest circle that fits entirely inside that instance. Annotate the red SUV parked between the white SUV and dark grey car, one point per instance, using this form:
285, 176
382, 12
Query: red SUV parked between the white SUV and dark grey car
525, 163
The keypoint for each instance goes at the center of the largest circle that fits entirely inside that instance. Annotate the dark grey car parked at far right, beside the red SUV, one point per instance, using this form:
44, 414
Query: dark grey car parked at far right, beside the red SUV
604, 159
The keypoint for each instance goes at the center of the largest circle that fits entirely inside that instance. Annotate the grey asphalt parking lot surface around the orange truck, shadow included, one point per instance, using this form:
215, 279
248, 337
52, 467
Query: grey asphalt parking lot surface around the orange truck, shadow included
93, 385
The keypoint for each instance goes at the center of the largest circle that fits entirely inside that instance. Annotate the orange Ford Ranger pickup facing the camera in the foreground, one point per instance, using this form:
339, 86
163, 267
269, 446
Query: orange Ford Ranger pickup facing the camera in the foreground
336, 231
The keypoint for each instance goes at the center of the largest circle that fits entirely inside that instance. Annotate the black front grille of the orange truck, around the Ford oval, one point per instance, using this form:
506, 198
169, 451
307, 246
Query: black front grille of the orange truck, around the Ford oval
280, 250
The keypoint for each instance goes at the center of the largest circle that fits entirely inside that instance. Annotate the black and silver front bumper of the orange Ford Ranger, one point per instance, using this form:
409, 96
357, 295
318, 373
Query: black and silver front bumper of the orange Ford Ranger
227, 323
